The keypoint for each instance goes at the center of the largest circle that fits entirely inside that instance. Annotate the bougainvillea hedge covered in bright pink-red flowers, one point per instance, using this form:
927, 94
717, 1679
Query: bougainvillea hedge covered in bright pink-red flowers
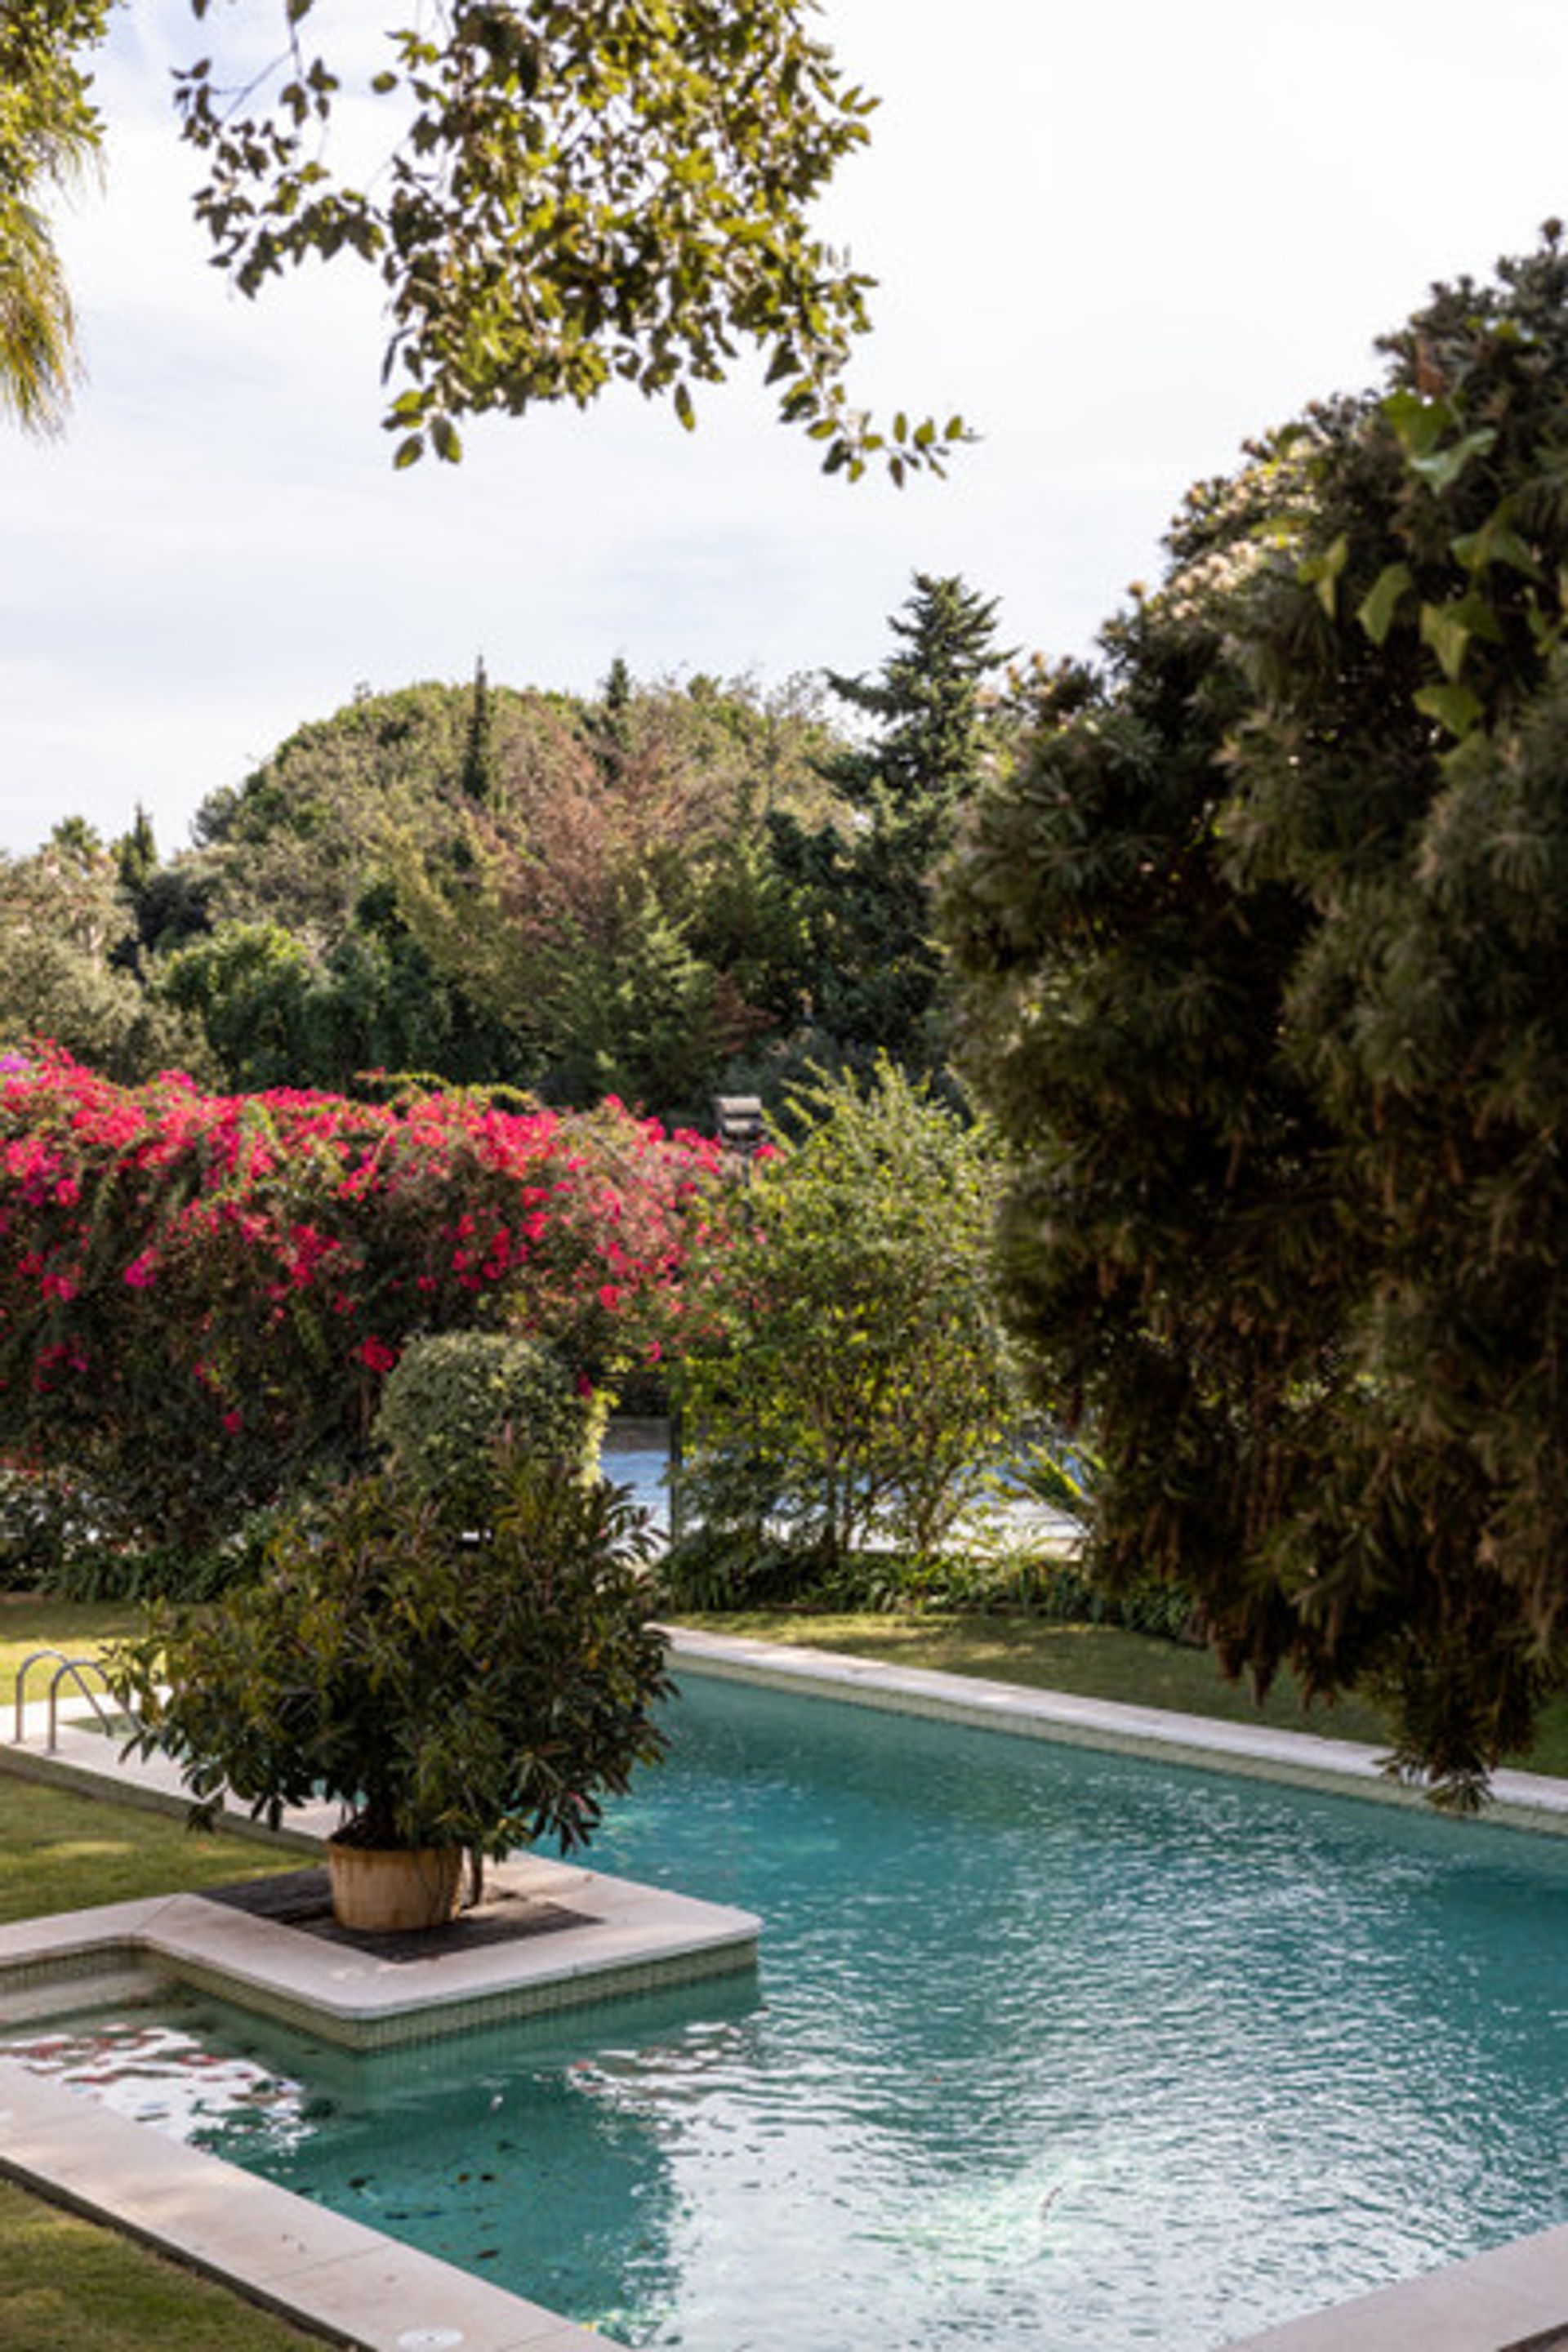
201, 1295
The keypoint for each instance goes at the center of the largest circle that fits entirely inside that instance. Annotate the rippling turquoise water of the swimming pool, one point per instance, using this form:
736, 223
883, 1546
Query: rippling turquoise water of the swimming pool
1050, 2050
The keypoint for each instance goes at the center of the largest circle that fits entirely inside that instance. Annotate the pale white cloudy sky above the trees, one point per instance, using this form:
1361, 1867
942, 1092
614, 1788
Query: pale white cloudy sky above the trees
1118, 239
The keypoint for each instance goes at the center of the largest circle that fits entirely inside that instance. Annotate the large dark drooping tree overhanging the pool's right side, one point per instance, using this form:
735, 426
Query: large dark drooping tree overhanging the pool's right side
1264, 961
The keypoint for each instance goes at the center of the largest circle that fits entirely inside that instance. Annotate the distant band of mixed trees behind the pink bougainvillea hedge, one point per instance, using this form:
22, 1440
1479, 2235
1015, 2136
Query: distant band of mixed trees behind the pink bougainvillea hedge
664, 890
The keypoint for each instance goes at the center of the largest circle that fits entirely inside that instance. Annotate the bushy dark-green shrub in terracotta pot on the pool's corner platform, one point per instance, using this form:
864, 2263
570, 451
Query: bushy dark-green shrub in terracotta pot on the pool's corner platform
462, 1681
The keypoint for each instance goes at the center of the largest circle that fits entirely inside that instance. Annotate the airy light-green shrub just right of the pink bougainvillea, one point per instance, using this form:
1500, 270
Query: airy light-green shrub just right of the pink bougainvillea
852, 1379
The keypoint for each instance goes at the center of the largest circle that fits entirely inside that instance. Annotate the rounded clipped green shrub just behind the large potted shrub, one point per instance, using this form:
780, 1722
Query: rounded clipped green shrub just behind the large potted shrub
462, 1401
